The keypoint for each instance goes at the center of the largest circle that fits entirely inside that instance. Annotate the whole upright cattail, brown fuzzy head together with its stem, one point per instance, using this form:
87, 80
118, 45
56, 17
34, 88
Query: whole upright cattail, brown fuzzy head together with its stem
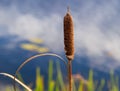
69, 44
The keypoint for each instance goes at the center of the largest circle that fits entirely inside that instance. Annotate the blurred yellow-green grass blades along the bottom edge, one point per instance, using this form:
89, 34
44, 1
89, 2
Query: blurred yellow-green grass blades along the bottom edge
61, 85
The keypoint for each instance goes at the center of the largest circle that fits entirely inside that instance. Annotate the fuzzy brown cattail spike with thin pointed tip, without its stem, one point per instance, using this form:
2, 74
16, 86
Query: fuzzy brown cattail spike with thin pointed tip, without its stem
69, 36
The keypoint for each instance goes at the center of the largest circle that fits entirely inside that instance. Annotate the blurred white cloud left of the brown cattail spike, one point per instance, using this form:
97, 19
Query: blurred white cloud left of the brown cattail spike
28, 26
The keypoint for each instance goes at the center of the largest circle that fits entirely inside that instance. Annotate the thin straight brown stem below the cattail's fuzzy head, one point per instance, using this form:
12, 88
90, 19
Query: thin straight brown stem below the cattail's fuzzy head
70, 75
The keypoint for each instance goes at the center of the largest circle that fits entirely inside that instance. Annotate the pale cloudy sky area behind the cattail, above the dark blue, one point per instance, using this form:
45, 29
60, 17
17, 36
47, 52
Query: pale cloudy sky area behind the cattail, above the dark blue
96, 24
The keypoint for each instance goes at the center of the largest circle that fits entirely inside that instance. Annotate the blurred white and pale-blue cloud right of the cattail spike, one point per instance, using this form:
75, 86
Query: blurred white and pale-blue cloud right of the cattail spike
98, 32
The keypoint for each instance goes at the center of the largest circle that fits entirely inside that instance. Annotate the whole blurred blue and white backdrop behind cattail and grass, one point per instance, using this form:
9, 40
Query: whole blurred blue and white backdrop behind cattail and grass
29, 27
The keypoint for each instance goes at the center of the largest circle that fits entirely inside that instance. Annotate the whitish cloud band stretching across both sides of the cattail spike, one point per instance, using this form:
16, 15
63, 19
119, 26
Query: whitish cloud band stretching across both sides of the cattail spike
96, 28
